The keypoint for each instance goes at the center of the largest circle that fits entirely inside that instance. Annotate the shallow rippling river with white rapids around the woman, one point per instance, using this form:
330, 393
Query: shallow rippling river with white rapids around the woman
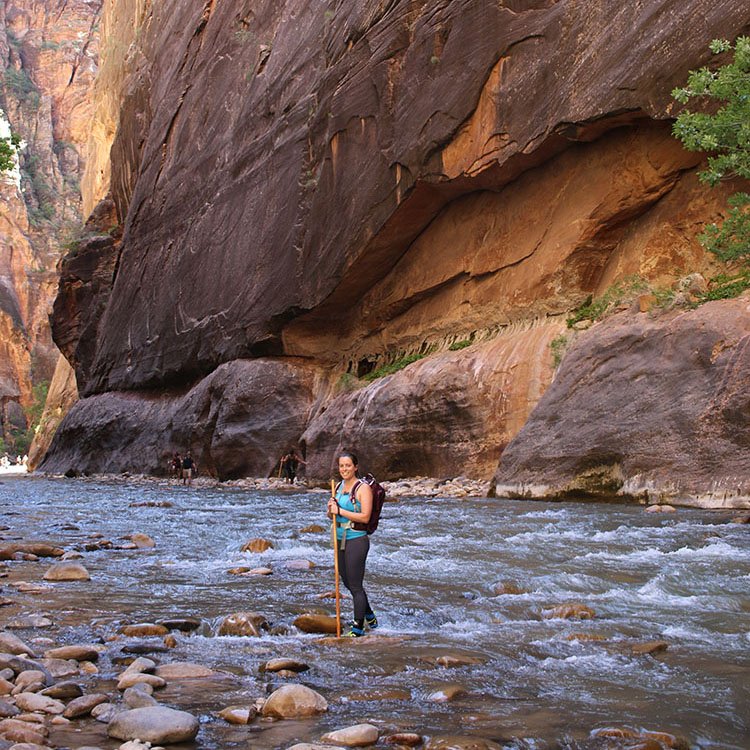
431, 575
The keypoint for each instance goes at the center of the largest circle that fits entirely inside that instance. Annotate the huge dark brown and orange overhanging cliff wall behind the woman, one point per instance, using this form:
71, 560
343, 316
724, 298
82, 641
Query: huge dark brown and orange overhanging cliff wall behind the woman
330, 189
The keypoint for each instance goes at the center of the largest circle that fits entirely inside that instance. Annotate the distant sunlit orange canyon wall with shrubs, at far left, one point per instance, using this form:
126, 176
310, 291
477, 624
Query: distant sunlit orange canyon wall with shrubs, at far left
48, 63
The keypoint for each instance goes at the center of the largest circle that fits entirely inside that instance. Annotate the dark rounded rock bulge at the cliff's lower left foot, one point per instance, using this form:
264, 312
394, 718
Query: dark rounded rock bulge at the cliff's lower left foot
237, 422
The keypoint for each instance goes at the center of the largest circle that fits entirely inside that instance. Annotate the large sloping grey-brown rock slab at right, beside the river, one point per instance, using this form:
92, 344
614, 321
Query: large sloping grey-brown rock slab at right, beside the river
656, 407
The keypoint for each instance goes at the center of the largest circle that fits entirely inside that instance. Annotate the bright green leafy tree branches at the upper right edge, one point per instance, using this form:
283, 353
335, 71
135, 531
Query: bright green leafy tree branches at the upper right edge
724, 133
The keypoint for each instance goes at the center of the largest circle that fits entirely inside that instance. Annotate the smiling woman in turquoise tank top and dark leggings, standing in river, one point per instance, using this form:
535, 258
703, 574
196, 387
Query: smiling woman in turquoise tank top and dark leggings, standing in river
351, 507
